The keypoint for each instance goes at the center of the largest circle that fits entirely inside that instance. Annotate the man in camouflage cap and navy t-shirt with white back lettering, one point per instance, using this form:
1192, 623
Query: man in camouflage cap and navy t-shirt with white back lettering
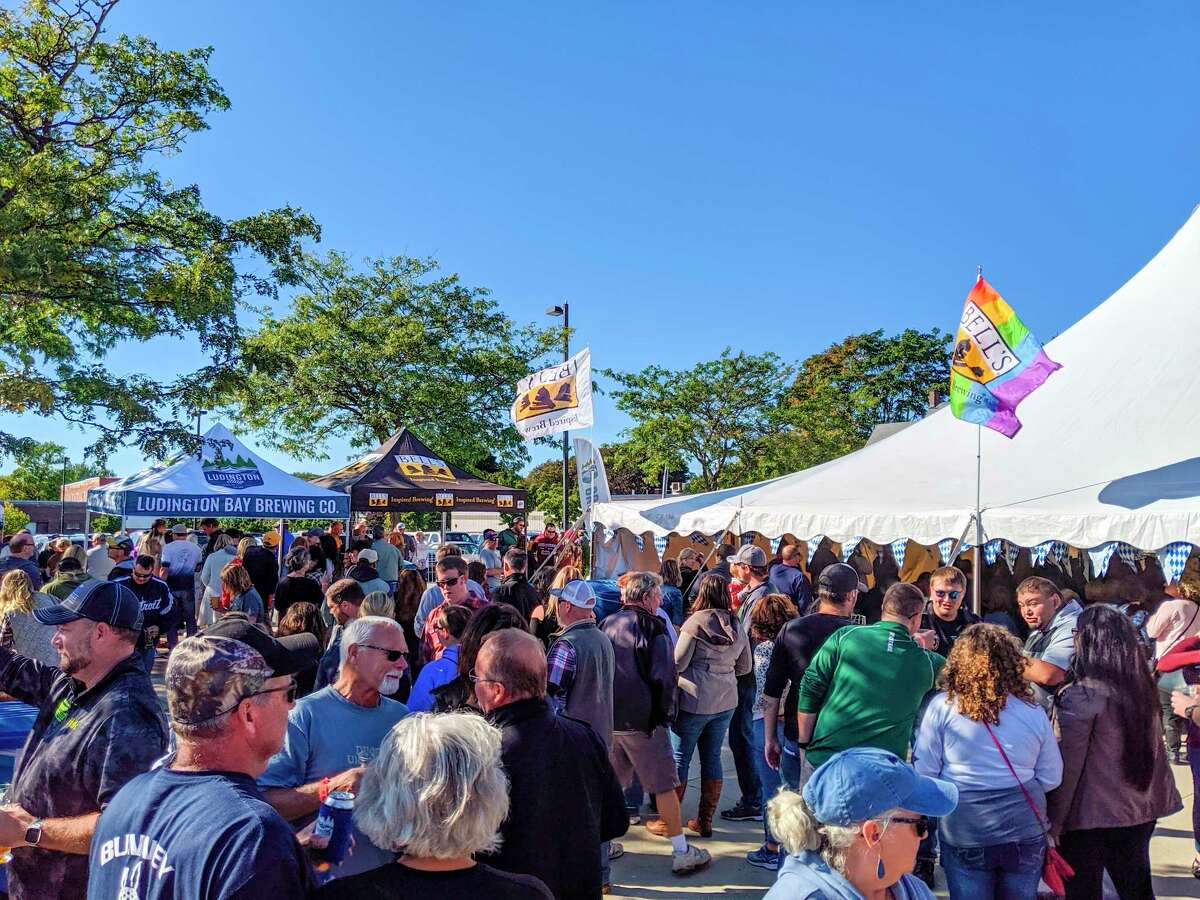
200, 827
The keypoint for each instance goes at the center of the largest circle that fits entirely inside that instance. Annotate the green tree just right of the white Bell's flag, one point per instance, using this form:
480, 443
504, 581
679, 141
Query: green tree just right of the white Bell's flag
716, 417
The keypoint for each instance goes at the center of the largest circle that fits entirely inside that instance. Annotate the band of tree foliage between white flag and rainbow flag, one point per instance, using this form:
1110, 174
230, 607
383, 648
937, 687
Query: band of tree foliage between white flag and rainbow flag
746, 418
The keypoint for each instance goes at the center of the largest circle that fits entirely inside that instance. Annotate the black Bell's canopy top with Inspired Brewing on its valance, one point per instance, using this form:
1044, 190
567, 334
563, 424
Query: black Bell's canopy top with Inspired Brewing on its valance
404, 476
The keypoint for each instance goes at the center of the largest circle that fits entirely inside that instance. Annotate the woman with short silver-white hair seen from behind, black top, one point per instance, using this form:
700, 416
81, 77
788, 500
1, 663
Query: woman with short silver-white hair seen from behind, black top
436, 796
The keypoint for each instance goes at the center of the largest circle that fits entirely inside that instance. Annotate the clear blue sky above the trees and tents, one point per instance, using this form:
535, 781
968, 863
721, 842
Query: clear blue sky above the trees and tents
694, 176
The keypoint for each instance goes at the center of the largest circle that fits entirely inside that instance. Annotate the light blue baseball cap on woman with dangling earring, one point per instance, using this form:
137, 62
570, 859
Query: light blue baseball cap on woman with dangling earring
862, 783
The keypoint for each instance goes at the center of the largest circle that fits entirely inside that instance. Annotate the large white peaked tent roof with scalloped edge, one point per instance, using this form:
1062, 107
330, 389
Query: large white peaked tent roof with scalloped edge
1109, 451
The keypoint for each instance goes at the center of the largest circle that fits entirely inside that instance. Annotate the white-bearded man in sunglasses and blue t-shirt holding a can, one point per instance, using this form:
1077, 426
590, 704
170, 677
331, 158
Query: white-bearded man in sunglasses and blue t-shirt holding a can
334, 733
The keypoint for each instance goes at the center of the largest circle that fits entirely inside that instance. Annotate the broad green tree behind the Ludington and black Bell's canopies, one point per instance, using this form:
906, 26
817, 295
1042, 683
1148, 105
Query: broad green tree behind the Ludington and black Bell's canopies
364, 352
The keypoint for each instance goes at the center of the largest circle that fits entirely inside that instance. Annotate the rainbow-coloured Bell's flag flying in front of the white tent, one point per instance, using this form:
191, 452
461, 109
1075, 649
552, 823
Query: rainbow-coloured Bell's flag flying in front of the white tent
997, 363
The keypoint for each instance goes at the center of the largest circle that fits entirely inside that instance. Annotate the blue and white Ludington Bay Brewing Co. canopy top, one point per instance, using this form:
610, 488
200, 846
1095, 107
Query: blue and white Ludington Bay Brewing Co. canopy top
227, 481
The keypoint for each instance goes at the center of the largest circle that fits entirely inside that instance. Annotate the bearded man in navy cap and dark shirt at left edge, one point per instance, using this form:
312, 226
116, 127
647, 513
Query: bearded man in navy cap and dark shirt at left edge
99, 725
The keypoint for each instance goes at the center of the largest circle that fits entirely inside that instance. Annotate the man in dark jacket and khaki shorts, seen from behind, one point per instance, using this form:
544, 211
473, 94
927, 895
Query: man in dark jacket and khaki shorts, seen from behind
644, 704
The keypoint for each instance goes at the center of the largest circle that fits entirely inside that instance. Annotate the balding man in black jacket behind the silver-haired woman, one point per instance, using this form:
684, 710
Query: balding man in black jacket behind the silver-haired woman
561, 785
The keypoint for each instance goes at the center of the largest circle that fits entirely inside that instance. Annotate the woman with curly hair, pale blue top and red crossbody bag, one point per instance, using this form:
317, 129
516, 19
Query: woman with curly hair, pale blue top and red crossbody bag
986, 734
